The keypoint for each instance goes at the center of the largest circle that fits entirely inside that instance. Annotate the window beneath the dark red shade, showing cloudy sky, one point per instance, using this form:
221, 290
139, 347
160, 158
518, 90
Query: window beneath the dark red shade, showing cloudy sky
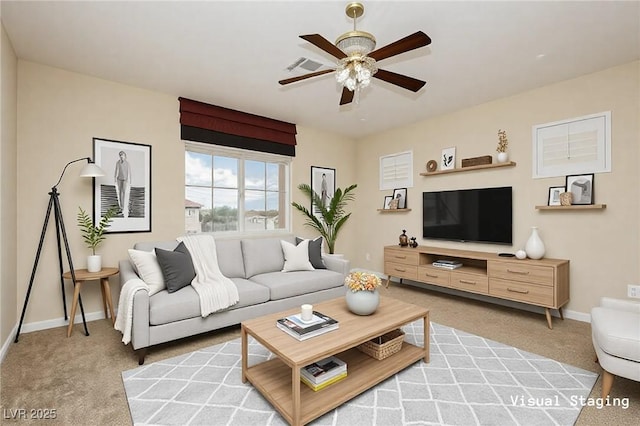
235, 191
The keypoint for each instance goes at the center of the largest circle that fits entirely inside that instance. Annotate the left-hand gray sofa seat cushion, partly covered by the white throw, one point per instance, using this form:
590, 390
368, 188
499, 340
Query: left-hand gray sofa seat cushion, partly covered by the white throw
165, 308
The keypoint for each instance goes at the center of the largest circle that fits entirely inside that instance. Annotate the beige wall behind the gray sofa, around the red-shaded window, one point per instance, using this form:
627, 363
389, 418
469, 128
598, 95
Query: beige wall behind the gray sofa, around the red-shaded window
59, 113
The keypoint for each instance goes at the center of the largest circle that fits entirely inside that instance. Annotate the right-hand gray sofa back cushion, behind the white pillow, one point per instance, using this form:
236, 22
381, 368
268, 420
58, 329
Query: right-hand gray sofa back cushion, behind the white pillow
262, 255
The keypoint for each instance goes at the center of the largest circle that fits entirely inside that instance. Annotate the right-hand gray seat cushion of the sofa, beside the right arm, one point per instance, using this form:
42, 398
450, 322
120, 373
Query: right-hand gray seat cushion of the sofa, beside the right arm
288, 284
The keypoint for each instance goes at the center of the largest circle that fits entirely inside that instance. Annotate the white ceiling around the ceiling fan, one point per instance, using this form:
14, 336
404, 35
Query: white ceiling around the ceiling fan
232, 54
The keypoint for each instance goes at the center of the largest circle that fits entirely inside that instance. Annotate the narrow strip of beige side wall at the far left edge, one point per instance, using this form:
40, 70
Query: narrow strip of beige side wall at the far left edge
8, 211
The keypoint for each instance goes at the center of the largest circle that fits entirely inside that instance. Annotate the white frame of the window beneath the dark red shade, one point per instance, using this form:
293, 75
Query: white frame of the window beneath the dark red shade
247, 155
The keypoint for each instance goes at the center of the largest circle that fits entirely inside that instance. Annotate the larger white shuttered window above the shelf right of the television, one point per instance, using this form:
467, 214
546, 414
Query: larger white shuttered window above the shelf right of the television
573, 146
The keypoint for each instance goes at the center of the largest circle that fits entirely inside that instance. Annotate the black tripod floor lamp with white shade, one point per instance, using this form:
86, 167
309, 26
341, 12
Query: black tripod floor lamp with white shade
89, 170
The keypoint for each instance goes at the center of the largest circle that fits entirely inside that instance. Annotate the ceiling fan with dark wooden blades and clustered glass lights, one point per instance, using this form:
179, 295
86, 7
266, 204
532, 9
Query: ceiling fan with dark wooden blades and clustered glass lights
357, 59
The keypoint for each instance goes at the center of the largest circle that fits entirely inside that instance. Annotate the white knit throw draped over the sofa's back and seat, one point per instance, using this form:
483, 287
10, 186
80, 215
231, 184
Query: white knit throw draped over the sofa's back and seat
216, 291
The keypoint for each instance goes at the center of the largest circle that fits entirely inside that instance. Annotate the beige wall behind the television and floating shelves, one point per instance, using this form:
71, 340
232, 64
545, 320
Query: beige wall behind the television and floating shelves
603, 245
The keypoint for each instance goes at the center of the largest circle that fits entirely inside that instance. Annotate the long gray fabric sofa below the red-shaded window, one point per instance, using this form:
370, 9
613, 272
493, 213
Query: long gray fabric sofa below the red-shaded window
255, 266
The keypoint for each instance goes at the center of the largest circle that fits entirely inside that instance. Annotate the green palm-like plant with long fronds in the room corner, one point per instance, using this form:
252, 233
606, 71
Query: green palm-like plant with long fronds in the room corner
332, 216
